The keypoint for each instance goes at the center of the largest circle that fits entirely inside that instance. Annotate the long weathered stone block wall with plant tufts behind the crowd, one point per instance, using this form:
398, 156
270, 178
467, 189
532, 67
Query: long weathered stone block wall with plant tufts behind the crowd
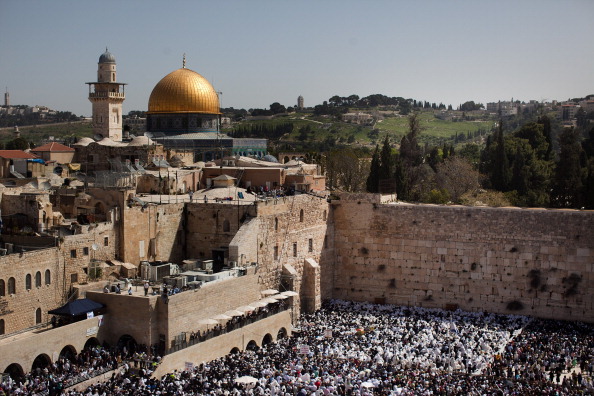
506, 260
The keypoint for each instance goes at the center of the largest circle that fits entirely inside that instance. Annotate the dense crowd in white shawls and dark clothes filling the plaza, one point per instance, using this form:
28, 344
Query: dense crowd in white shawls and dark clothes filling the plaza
350, 348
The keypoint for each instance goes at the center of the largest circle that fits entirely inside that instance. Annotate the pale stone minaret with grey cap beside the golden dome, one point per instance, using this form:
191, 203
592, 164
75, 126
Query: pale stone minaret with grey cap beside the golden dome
107, 97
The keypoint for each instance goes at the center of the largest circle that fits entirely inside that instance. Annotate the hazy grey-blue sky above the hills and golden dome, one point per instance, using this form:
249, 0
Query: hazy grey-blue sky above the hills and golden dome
260, 52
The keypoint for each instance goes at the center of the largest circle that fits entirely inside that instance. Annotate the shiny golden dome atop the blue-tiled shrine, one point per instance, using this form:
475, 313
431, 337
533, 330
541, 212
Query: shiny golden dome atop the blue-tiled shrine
183, 91
